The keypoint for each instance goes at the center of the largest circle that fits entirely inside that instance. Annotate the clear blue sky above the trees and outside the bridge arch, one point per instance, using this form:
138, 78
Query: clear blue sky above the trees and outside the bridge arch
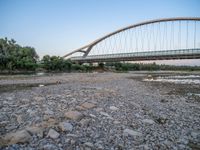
56, 27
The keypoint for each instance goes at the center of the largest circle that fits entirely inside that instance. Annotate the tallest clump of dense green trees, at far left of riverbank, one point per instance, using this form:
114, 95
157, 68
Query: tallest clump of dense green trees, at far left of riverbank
16, 57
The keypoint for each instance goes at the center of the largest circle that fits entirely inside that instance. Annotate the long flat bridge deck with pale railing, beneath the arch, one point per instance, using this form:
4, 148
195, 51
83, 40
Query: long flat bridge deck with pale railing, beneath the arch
140, 56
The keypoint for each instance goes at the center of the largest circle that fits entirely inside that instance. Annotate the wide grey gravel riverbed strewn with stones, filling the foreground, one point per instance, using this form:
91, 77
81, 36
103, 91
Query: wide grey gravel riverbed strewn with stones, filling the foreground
103, 111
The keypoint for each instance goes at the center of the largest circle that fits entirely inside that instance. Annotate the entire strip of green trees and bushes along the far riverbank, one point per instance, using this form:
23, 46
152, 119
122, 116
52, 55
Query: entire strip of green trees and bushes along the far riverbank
17, 58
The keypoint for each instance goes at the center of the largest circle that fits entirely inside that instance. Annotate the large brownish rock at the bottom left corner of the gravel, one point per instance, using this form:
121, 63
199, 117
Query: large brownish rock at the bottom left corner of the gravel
18, 137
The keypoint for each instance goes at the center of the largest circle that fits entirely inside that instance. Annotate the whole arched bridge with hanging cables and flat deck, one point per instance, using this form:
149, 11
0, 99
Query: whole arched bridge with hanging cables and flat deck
167, 38
